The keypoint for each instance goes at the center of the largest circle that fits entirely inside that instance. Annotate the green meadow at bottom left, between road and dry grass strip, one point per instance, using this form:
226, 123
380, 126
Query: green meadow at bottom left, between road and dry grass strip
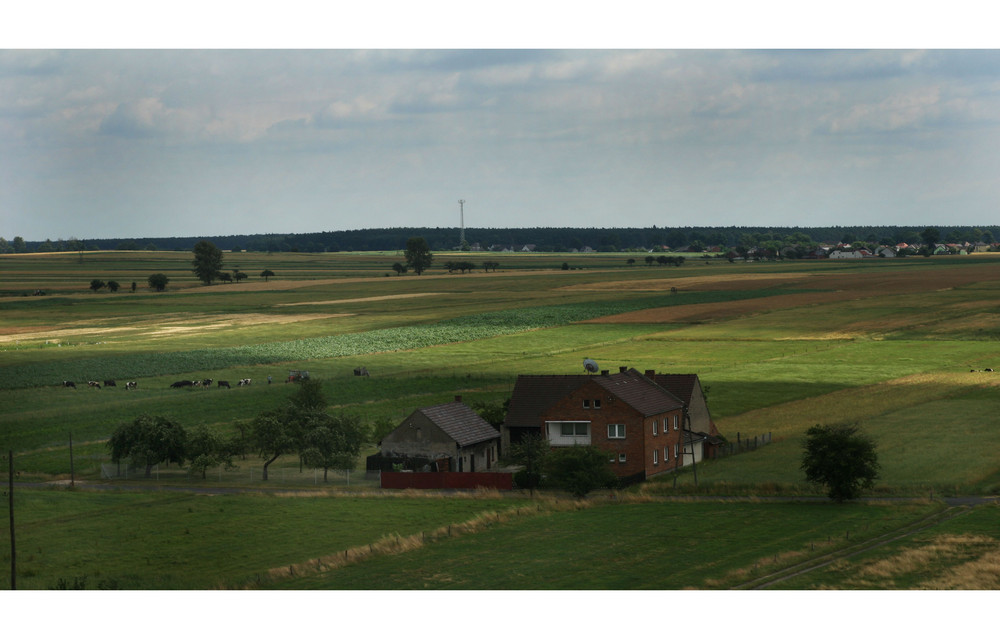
186, 541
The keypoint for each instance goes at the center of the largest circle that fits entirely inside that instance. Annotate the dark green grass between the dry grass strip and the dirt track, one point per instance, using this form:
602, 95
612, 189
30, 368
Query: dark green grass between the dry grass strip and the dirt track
620, 547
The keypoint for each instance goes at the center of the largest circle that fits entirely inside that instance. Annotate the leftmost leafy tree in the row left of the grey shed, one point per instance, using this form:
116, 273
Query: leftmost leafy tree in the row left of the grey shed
147, 441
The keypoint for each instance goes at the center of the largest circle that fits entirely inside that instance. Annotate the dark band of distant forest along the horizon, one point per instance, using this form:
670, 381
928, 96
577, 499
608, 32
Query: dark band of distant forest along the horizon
540, 239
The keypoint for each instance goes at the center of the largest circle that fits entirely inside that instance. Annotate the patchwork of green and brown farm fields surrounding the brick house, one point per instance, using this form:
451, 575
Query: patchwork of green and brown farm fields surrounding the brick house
900, 347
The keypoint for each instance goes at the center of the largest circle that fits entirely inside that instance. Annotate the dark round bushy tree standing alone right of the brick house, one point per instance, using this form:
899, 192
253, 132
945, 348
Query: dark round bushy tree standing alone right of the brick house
841, 458
